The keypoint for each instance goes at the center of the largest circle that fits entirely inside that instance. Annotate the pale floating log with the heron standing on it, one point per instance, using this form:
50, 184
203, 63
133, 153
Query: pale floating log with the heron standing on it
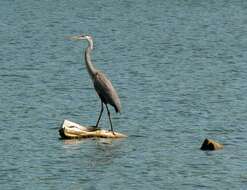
70, 130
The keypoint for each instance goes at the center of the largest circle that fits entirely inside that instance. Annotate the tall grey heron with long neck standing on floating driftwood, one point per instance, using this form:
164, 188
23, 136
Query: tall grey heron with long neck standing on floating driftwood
102, 85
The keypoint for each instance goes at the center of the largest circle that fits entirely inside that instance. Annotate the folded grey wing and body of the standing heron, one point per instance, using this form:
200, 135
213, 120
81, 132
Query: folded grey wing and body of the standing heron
106, 91
